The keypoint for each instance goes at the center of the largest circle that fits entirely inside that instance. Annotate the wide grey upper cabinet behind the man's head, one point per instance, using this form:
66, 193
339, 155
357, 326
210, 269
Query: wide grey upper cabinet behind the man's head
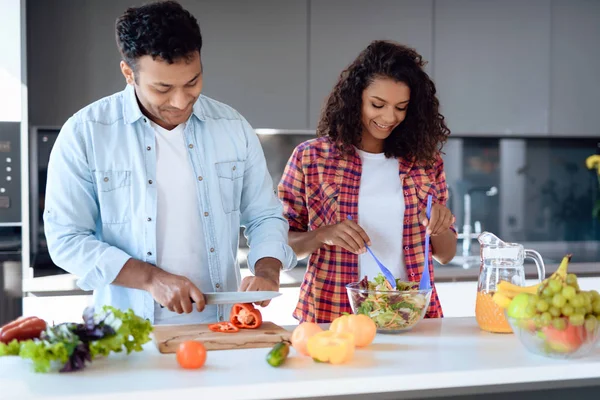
254, 57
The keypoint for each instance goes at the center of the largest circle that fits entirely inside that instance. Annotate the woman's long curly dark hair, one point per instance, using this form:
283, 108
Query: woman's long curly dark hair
422, 134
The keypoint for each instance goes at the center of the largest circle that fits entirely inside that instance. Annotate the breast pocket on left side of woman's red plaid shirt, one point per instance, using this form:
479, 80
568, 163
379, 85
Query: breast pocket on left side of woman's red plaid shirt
322, 204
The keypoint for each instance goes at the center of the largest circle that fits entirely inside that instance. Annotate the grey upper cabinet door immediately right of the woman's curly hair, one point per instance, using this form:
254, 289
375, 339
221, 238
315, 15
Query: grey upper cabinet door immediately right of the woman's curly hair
491, 65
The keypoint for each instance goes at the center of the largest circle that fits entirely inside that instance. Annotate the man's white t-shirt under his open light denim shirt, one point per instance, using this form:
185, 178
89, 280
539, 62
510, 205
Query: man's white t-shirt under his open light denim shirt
180, 244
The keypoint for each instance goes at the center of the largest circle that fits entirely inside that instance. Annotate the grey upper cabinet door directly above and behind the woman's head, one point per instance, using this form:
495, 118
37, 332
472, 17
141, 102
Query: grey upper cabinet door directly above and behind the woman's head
341, 29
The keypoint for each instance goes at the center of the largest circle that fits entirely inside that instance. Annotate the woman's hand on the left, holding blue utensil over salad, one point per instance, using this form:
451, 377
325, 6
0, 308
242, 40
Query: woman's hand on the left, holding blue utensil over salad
347, 234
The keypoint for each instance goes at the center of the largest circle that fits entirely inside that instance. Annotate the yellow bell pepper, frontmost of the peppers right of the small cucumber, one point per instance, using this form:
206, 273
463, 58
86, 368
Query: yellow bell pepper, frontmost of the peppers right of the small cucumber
331, 347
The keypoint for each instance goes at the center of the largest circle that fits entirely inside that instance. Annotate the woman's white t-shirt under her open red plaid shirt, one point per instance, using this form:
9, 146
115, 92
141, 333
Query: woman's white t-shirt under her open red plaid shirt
381, 214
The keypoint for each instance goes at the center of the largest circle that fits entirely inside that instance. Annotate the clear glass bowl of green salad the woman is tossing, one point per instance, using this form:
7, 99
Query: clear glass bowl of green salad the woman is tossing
393, 311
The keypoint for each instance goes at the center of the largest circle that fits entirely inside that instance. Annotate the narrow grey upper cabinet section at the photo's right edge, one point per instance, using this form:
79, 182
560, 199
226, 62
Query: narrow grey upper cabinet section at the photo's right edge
575, 63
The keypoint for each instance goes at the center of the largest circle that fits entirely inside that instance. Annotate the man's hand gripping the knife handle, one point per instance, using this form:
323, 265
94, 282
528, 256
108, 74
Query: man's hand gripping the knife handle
175, 292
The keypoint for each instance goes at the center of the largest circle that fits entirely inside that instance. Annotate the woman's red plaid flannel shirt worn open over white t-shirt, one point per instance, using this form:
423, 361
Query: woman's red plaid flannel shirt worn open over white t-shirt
320, 187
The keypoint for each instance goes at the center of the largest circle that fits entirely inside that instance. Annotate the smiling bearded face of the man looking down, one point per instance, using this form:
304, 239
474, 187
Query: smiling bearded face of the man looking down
166, 92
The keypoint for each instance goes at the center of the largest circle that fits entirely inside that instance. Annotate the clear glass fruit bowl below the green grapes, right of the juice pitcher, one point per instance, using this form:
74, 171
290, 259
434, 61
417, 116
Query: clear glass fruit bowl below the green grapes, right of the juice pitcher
558, 339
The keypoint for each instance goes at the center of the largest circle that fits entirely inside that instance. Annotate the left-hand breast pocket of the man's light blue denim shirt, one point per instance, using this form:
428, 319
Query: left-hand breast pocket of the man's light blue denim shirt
114, 196
